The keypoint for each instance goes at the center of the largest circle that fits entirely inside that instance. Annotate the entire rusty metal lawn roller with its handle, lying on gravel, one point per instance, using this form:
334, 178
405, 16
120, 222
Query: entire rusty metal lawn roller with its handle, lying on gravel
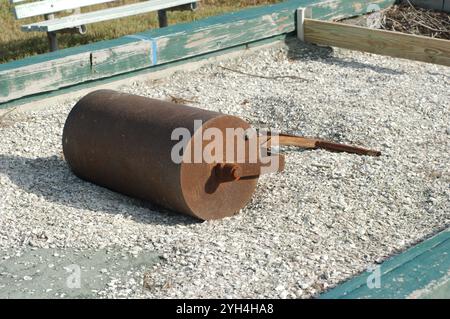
126, 143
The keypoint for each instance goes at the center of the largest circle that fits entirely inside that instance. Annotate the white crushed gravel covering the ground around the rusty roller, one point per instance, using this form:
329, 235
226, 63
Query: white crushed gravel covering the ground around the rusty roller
326, 218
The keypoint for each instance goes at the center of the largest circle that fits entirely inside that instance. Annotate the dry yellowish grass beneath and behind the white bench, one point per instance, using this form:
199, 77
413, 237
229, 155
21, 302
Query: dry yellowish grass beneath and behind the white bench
15, 44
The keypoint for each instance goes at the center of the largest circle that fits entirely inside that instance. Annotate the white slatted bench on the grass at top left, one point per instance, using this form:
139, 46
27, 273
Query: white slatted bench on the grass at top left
77, 21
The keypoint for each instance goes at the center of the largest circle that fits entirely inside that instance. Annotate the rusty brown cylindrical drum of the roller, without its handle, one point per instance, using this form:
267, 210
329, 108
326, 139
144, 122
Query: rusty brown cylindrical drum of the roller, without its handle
123, 142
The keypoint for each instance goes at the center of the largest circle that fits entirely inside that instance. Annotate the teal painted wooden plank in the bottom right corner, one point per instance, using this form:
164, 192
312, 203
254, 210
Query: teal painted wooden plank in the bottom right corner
403, 274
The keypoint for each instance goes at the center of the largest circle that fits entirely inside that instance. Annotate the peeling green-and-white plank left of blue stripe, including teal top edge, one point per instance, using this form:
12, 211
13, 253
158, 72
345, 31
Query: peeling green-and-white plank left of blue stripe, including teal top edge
54, 70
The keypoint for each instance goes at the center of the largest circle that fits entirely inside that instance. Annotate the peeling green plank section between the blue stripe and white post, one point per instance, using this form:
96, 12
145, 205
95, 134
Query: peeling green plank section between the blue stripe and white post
226, 31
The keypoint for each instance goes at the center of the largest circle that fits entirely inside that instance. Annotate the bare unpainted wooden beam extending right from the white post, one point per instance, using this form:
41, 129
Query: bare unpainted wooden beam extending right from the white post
395, 44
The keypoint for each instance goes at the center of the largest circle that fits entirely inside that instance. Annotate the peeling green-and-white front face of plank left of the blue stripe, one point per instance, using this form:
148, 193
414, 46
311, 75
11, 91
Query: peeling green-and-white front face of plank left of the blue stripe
74, 68
